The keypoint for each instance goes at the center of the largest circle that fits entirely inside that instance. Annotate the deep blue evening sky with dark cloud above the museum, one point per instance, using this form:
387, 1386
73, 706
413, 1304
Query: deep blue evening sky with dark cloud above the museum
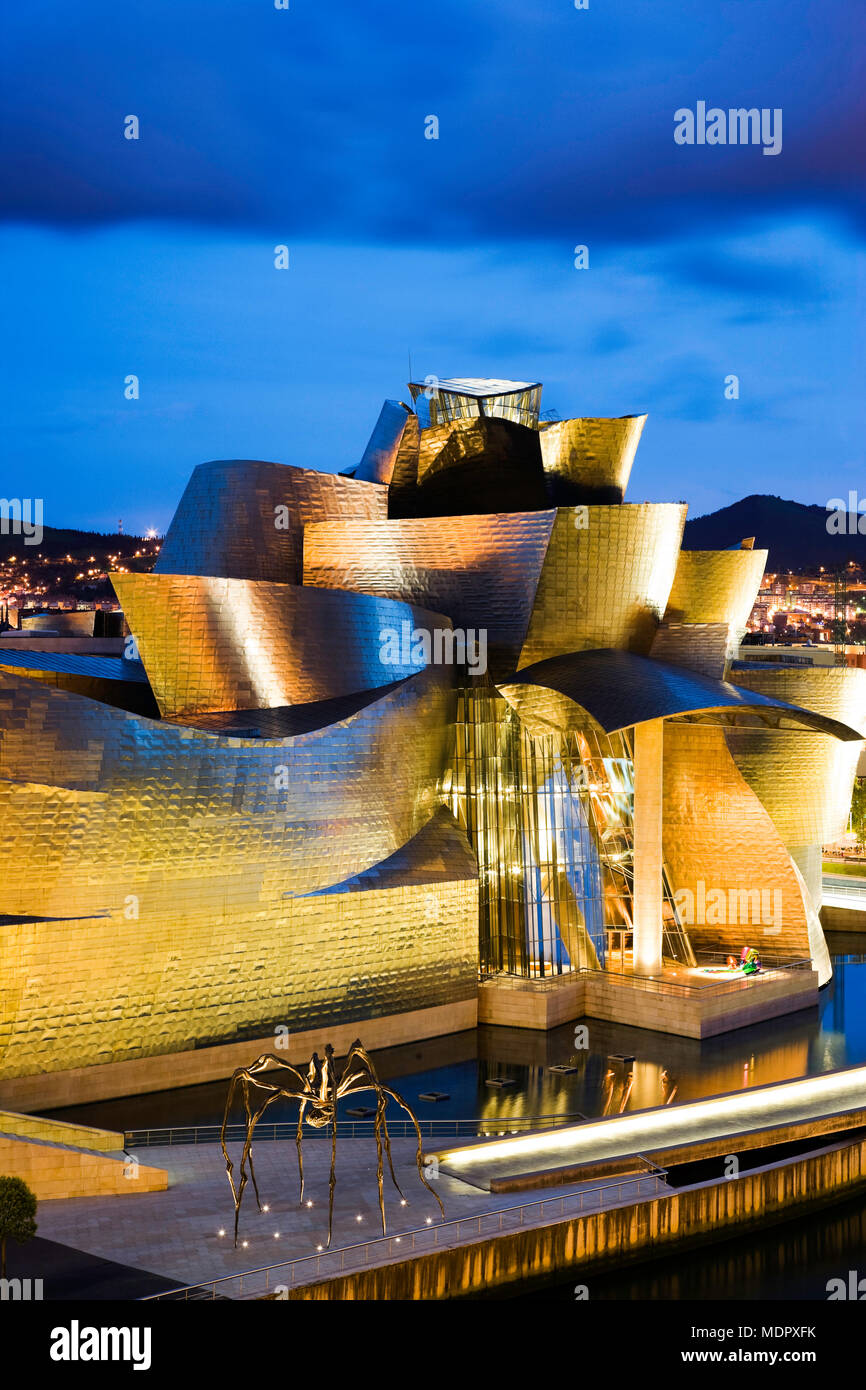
307, 127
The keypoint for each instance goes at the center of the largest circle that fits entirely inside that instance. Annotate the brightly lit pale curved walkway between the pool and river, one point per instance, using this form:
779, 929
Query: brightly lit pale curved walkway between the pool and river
647, 1132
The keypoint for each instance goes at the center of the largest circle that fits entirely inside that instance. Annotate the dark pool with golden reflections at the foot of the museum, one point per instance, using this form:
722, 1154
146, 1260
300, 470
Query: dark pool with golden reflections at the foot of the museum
621, 1070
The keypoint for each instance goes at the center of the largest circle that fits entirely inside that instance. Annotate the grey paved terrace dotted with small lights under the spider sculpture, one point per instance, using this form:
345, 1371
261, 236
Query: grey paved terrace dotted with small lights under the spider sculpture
176, 1234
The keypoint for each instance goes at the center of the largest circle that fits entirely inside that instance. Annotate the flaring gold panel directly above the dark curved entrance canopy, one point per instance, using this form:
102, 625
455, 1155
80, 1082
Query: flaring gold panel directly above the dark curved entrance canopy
605, 579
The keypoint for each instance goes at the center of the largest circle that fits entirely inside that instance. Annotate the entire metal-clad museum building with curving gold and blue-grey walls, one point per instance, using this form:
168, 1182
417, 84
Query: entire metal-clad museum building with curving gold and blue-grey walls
340, 815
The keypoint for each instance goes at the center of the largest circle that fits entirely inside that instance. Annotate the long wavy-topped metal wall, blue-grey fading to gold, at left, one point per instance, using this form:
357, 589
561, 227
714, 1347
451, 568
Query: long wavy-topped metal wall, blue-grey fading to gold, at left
98, 804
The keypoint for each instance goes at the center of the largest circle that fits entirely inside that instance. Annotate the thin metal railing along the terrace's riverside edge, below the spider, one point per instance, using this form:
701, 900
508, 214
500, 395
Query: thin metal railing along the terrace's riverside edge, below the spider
279, 1279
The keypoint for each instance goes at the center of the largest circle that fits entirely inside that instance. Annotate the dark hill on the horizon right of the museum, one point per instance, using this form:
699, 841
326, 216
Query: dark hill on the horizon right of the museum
794, 534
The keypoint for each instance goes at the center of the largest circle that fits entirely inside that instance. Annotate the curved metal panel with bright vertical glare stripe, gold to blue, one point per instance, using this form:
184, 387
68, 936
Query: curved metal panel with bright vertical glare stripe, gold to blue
216, 644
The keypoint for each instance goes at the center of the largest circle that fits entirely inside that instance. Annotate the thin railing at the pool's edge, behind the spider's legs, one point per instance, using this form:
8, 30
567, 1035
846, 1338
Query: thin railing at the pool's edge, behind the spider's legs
494, 1128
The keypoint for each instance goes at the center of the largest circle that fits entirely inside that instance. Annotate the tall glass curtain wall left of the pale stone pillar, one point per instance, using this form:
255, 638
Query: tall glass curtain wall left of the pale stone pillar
551, 822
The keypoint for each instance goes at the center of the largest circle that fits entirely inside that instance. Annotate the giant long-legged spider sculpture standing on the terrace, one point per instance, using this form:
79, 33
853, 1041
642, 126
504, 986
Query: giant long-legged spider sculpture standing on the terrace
318, 1092
